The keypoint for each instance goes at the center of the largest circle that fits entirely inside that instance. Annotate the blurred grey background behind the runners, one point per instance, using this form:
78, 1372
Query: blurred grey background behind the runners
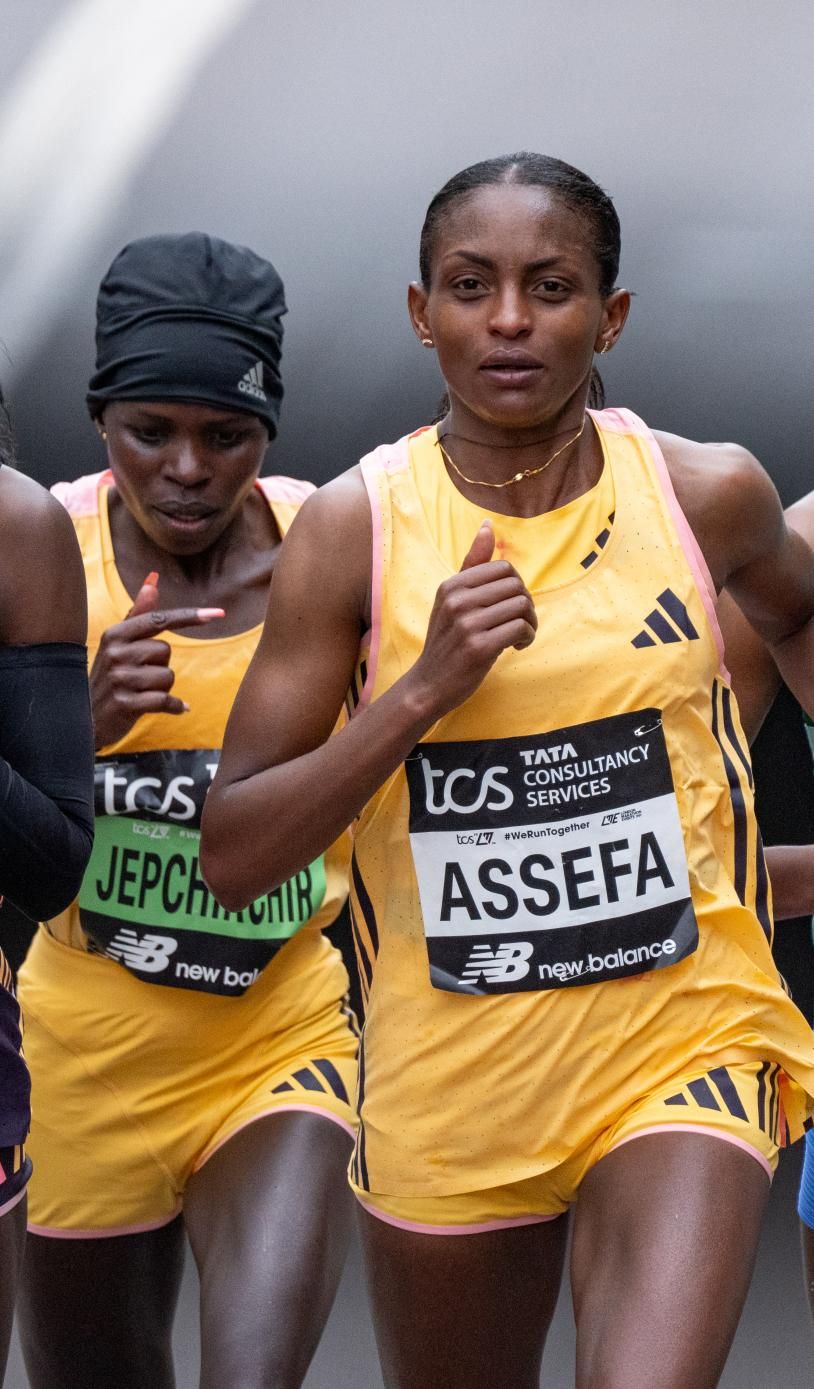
317, 133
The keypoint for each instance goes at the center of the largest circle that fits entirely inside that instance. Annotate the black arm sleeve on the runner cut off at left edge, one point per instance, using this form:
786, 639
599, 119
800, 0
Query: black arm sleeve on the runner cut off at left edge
47, 776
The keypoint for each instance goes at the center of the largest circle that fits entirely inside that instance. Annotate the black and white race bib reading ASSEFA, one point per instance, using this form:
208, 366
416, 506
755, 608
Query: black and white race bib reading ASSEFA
554, 860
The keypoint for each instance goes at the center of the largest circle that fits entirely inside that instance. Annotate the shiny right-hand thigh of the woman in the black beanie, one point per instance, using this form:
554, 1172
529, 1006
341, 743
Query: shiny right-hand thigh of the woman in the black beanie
269, 1222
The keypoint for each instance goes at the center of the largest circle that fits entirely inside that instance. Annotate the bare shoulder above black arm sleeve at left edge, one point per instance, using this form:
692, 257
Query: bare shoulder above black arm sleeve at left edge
42, 581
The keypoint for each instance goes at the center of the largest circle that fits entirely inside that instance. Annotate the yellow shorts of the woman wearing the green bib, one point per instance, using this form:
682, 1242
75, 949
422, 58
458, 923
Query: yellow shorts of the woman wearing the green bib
135, 1087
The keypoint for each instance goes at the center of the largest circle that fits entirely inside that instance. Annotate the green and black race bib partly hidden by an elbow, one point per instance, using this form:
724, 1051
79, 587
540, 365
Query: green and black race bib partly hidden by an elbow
144, 901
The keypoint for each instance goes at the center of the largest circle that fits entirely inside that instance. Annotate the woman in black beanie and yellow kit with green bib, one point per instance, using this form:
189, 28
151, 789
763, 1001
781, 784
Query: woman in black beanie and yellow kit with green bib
185, 1061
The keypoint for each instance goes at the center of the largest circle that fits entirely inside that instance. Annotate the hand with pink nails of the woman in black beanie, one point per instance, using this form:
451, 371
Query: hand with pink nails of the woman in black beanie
131, 674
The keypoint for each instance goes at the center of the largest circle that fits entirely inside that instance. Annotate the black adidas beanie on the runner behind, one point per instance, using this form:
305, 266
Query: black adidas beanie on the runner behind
191, 319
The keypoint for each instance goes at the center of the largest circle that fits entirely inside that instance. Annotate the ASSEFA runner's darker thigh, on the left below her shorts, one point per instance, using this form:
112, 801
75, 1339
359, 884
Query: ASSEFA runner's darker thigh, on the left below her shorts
466, 1312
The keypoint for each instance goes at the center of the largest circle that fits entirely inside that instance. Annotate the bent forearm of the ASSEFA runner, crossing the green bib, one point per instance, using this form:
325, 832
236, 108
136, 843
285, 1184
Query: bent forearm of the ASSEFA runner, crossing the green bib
260, 831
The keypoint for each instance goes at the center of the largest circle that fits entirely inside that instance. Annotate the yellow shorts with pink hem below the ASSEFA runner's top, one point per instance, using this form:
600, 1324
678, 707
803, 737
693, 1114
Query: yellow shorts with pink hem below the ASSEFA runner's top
756, 1131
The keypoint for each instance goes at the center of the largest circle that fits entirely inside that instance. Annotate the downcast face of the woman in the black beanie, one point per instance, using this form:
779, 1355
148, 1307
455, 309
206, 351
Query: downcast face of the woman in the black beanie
183, 472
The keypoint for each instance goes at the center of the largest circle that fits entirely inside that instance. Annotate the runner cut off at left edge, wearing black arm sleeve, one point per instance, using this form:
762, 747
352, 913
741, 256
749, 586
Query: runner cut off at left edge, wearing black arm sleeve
47, 784
